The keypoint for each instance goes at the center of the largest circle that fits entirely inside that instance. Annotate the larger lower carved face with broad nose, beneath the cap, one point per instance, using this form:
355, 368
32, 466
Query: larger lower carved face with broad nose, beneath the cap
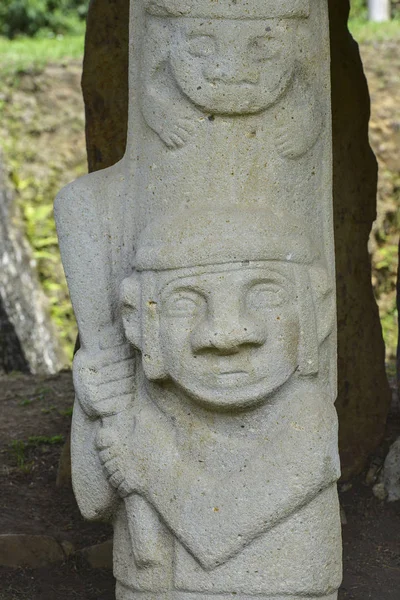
229, 335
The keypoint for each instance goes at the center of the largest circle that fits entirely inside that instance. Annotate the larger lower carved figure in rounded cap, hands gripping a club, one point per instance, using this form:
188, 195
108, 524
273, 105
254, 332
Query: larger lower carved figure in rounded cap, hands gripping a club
224, 443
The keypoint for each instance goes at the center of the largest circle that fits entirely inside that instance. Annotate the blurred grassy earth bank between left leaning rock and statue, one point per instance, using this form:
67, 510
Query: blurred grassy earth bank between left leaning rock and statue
40, 121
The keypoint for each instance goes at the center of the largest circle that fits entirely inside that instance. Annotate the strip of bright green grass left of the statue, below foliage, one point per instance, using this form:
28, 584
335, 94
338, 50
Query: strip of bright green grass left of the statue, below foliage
27, 53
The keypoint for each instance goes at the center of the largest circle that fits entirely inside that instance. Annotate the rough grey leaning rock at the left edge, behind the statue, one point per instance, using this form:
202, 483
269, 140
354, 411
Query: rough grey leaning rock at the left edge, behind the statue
27, 340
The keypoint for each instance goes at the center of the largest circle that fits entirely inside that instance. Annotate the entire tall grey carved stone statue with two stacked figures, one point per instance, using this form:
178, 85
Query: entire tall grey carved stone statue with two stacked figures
204, 425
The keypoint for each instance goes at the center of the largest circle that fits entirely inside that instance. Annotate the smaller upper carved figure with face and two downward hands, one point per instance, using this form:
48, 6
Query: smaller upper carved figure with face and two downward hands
216, 63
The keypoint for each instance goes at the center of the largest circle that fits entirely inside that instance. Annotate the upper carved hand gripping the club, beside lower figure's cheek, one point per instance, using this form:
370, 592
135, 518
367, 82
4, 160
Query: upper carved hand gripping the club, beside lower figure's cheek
104, 381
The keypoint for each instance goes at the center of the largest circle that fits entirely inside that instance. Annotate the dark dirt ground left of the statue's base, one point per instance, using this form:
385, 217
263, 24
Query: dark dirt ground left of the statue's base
36, 415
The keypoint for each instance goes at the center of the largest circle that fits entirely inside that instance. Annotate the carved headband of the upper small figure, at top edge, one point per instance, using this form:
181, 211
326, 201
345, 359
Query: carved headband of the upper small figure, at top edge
229, 9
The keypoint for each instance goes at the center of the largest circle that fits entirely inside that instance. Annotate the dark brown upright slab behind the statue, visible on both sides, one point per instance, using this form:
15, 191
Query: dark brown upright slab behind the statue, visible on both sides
364, 394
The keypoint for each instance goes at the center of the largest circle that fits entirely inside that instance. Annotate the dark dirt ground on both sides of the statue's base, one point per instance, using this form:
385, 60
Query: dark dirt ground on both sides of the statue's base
36, 418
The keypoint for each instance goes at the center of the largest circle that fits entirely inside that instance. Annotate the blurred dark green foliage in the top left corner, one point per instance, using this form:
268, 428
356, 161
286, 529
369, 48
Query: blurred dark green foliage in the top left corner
42, 17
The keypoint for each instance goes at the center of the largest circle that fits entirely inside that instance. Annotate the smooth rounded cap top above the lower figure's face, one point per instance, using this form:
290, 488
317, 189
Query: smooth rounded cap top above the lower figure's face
193, 238
